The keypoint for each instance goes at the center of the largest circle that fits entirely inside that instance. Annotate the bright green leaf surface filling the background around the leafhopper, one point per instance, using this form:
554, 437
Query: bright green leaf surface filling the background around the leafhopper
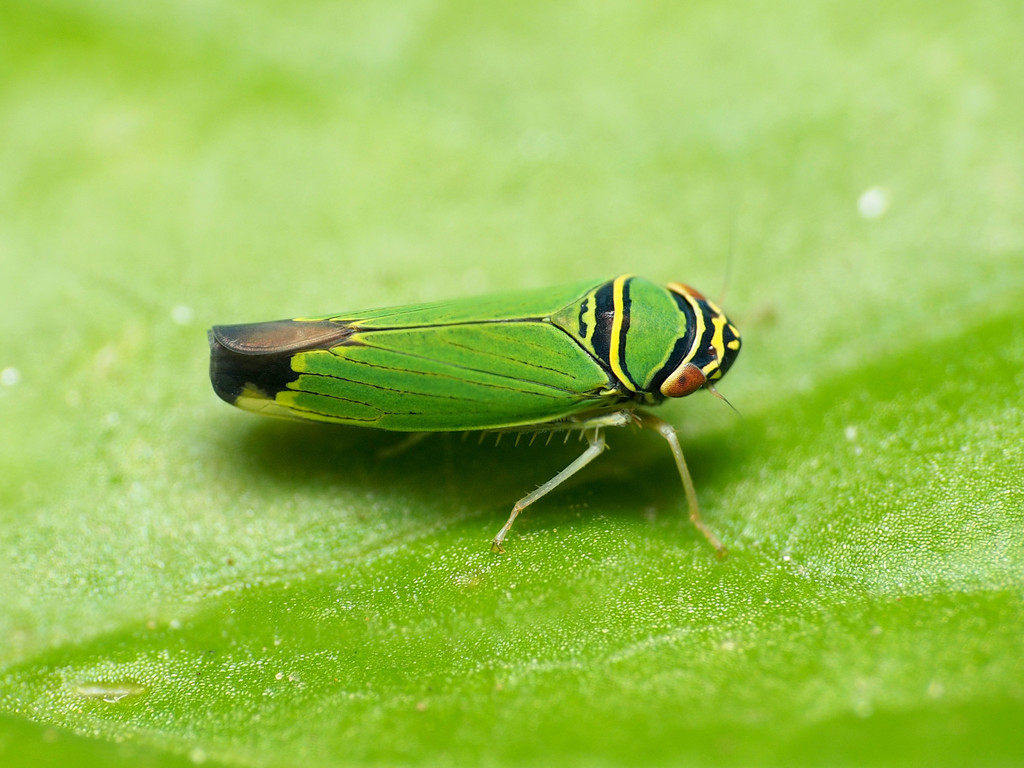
184, 583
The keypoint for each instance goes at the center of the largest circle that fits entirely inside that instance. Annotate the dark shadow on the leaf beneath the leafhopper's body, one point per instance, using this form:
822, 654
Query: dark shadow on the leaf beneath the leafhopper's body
479, 474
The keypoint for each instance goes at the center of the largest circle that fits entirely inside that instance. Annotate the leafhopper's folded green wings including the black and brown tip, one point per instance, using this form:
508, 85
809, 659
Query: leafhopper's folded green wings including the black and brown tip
418, 369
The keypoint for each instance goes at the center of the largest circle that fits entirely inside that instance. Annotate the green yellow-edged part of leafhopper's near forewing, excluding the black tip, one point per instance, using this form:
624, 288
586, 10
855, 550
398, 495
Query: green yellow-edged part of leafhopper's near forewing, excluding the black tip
485, 375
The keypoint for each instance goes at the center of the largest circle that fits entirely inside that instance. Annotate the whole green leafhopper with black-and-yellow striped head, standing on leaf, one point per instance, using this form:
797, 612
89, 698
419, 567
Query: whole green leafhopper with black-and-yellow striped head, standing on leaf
578, 358
